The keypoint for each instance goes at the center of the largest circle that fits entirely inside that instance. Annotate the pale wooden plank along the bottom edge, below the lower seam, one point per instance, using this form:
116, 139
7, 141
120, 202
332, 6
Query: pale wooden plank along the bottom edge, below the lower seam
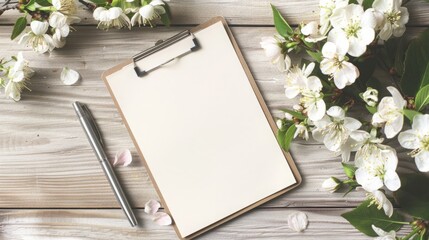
110, 224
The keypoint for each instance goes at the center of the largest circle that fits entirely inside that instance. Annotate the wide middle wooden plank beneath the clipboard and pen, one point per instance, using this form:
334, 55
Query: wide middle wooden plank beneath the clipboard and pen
47, 161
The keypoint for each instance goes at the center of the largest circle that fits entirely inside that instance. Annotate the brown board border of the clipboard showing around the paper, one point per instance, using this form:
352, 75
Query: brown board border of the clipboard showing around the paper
264, 107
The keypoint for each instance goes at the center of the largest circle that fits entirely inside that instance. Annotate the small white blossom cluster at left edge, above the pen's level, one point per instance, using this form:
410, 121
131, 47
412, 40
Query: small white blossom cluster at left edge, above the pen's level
14, 76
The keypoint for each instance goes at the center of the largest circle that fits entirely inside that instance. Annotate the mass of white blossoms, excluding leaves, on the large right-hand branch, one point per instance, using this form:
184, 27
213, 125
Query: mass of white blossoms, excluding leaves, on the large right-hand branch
342, 36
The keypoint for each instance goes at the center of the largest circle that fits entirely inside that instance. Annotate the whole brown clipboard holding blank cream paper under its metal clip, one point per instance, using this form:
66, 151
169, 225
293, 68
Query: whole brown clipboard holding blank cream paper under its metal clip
202, 128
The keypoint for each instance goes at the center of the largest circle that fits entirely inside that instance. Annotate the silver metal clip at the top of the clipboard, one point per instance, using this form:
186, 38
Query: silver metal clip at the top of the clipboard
163, 44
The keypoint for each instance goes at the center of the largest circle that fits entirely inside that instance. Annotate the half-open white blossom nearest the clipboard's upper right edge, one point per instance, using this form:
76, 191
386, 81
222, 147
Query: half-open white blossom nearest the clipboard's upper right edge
273, 50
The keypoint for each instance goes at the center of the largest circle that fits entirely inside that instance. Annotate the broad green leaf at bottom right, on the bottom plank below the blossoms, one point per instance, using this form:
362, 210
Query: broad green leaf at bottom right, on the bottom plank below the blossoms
364, 216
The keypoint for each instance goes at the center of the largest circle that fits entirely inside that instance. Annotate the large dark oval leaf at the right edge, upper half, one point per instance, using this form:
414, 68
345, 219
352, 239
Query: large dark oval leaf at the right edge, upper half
416, 60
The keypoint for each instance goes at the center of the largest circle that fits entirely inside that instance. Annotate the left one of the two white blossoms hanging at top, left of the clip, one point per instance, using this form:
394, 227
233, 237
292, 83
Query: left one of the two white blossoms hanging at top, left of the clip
112, 17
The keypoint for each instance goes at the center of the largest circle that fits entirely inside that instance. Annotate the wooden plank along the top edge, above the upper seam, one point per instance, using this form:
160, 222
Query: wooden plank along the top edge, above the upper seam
244, 12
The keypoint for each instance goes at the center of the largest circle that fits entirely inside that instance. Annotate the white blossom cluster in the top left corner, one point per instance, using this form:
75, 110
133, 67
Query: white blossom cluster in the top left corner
46, 35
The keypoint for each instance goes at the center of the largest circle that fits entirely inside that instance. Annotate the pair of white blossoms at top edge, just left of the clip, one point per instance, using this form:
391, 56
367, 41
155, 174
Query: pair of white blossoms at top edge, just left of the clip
116, 17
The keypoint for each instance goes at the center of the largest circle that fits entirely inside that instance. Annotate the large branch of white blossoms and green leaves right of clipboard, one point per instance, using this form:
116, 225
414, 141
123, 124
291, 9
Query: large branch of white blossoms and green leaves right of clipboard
352, 39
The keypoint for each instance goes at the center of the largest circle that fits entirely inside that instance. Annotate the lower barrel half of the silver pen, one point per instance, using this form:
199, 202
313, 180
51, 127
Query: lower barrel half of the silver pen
119, 194
